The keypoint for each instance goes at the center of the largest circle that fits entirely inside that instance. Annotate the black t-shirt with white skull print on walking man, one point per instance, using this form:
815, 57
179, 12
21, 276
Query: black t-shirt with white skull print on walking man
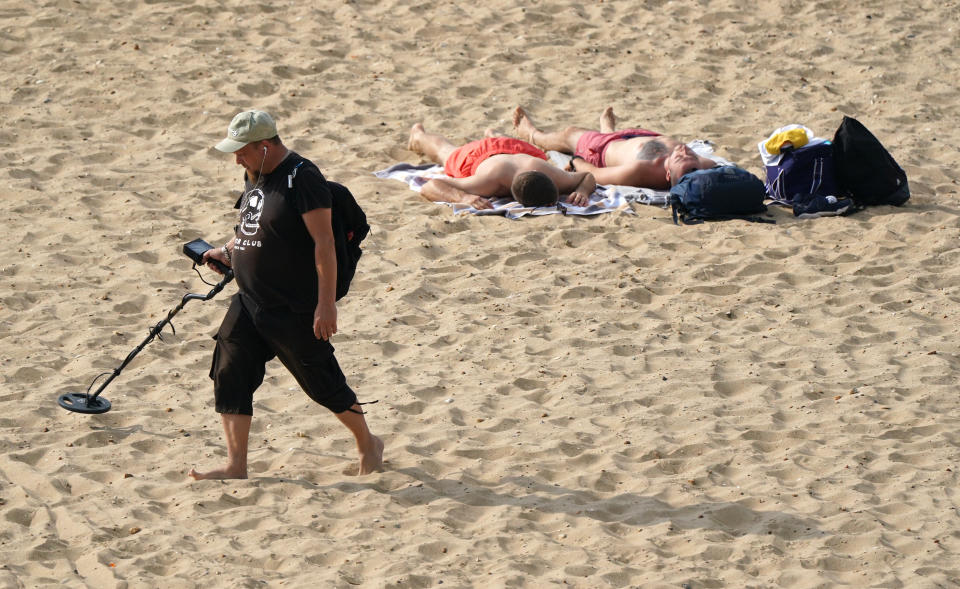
273, 252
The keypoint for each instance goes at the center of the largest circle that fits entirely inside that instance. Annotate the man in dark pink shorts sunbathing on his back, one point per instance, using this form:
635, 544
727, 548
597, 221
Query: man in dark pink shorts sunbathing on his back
628, 157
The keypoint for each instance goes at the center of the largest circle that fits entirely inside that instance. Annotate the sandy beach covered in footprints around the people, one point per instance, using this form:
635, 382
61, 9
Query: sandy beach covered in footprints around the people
613, 401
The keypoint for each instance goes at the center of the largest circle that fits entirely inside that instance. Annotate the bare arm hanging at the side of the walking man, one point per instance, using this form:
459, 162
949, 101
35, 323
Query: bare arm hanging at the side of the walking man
321, 230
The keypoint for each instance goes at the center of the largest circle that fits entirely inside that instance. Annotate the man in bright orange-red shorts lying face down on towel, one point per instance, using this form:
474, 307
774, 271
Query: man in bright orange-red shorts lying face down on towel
497, 166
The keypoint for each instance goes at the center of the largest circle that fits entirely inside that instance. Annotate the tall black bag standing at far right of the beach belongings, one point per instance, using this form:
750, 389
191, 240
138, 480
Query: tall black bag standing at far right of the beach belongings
865, 170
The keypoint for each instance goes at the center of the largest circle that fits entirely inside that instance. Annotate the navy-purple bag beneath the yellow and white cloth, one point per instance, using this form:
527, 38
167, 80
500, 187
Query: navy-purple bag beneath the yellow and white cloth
803, 171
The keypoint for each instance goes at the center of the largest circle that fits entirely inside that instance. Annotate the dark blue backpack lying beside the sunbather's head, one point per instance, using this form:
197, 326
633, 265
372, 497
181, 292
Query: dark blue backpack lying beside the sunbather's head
724, 192
